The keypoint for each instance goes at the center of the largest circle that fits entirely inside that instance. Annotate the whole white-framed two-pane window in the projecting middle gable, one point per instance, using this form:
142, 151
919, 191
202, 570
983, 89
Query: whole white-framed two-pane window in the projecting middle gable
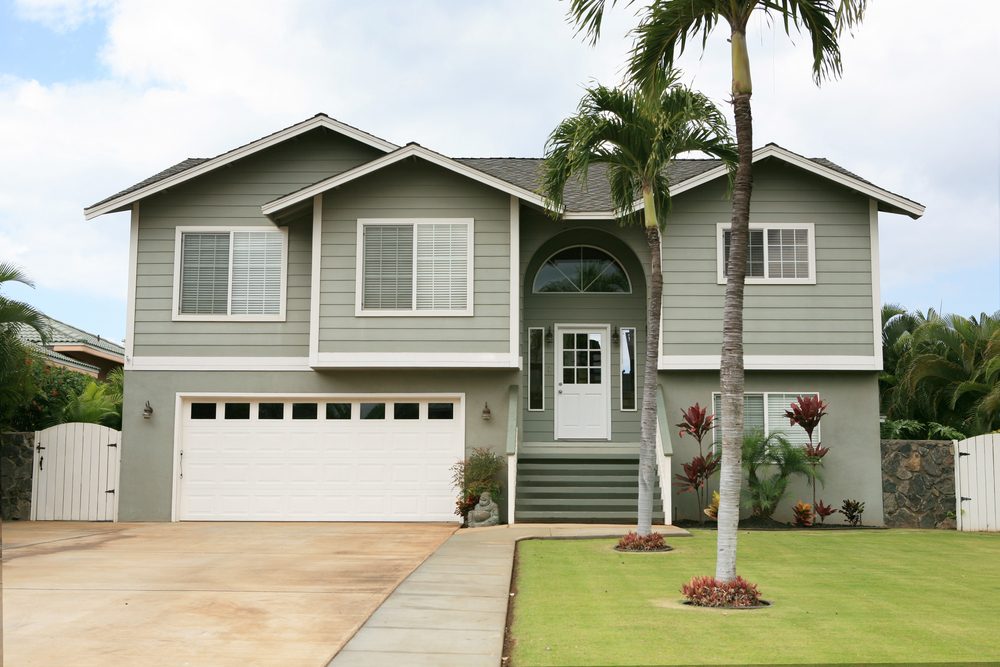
415, 267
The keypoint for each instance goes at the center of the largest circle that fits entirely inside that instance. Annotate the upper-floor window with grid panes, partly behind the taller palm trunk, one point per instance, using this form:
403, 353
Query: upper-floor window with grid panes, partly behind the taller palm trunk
779, 253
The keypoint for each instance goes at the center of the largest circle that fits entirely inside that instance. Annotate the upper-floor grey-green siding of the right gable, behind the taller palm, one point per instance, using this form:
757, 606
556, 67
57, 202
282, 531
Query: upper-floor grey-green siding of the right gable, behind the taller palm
832, 317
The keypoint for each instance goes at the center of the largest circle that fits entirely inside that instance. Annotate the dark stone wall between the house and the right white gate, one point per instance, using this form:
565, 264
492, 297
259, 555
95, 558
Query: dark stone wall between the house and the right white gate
918, 483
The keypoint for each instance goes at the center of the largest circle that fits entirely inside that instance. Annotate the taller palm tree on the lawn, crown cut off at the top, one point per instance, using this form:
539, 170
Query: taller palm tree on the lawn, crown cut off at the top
662, 35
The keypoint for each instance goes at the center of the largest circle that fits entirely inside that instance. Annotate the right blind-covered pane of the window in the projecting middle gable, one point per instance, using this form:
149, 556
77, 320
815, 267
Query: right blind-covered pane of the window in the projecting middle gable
442, 266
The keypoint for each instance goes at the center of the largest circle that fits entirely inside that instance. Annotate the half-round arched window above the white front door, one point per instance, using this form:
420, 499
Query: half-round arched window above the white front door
582, 269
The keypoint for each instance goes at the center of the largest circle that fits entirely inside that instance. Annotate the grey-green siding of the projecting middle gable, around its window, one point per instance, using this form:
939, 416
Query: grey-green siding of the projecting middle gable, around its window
413, 190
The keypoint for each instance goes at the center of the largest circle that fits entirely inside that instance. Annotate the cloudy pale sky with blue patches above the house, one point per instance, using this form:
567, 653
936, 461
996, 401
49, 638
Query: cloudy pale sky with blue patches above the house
96, 95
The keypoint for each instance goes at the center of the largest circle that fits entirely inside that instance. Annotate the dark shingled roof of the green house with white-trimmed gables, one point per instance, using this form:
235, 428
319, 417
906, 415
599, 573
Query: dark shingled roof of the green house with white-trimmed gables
517, 176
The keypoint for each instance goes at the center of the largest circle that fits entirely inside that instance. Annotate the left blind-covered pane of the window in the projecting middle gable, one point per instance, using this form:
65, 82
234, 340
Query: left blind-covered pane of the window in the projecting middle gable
387, 271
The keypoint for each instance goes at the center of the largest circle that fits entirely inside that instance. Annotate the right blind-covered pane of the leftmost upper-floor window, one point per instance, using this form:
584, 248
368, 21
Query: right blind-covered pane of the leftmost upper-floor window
257, 268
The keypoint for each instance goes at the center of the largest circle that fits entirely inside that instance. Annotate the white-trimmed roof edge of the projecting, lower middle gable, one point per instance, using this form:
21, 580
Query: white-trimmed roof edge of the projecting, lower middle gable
410, 150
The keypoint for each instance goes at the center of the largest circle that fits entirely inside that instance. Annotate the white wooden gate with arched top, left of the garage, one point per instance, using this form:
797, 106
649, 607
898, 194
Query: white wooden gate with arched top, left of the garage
76, 473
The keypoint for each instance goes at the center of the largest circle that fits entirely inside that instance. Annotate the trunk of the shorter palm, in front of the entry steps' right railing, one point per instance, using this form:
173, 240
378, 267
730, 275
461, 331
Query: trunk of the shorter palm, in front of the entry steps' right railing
647, 438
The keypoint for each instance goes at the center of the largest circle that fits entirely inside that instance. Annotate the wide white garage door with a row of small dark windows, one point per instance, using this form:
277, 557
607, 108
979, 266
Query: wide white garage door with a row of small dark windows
319, 459
